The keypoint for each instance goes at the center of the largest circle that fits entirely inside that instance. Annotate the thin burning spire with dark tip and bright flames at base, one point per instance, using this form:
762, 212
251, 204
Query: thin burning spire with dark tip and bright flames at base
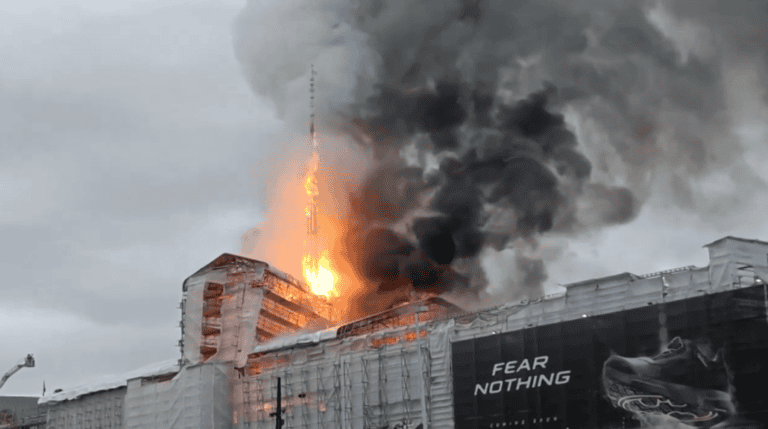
316, 261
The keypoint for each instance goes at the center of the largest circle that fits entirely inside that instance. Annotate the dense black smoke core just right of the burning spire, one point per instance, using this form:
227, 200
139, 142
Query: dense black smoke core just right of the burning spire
514, 163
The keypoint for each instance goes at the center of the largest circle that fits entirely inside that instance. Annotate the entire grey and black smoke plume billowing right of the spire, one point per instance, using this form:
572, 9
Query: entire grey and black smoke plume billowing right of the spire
493, 123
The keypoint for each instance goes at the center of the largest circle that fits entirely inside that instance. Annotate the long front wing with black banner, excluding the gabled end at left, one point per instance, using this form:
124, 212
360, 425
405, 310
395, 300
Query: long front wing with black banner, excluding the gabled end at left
545, 363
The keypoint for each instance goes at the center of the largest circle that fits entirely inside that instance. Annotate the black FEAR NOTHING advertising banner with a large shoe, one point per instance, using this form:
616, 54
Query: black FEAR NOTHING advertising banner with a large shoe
696, 363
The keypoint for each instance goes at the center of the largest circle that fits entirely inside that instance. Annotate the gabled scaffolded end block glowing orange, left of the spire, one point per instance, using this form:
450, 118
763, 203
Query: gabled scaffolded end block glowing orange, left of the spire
234, 303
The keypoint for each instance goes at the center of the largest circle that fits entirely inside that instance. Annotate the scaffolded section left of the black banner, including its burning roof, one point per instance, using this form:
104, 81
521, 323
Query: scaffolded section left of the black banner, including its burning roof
372, 373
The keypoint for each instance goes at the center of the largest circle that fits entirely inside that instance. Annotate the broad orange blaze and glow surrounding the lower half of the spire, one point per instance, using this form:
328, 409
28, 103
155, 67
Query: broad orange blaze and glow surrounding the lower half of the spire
285, 240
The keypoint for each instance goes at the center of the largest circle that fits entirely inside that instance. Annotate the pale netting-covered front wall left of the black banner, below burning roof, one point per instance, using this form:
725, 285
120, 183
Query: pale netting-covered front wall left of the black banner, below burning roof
357, 382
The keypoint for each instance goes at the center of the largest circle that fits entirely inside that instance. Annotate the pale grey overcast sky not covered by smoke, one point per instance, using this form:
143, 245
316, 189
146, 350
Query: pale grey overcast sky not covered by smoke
133, 148
